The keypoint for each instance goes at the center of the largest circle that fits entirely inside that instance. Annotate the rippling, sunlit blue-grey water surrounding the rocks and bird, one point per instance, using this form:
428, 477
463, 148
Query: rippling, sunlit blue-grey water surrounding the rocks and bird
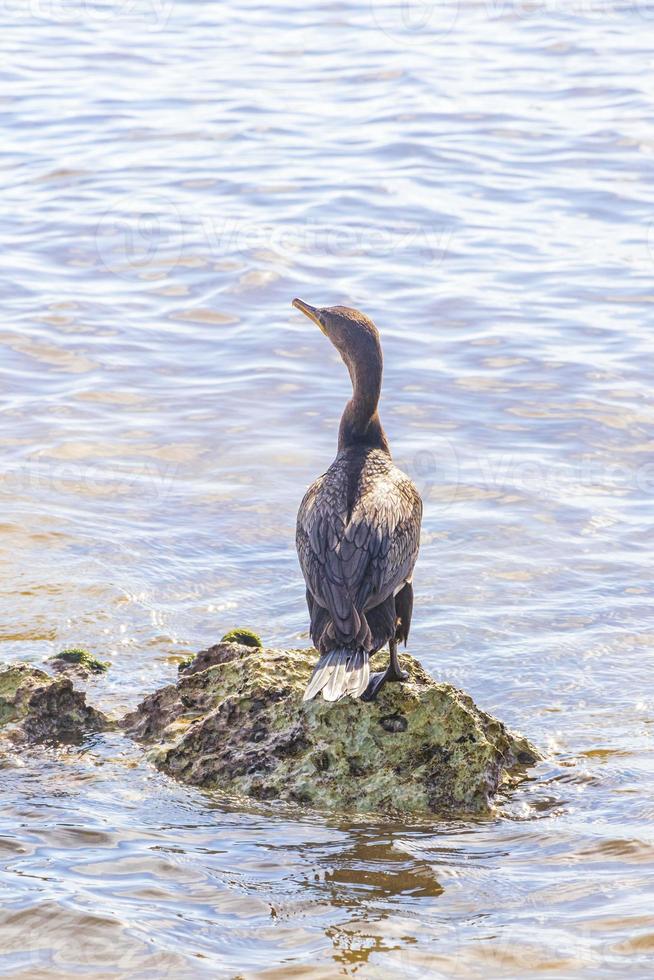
476, 178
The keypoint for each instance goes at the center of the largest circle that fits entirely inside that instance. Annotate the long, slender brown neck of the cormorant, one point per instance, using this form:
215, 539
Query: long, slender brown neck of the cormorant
360, 422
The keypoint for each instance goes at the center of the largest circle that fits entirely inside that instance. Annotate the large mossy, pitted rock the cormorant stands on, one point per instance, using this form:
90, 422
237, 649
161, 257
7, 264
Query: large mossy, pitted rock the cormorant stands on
235, 721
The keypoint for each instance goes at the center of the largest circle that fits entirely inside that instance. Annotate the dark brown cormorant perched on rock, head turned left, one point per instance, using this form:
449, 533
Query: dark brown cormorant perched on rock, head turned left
358, 529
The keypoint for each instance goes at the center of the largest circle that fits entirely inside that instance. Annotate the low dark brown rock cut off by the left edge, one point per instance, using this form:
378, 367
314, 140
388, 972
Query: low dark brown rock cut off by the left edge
37, 707
